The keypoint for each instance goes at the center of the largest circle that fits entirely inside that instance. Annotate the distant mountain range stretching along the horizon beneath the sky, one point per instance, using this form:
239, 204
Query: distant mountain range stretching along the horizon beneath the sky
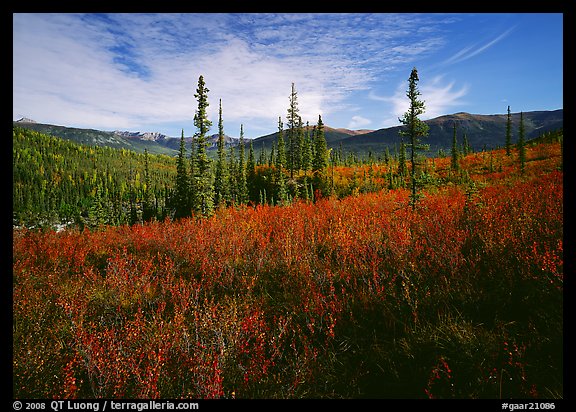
481, 130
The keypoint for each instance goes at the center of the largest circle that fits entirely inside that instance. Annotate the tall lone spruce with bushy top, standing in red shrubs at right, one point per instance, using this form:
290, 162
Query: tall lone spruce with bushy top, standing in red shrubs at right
415, 130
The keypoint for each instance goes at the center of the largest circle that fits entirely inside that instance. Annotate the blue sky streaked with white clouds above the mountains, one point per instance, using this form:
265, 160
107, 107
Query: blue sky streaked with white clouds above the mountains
139, 72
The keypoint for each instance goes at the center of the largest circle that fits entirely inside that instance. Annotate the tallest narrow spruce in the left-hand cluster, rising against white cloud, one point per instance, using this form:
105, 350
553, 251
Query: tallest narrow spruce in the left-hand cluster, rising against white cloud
202, 179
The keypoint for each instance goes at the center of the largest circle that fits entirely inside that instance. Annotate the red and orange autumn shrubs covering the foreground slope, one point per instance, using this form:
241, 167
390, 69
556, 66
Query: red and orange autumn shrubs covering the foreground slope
357, 297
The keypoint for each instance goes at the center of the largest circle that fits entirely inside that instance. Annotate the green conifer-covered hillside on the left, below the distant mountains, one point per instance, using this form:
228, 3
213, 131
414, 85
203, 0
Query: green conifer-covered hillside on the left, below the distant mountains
56, 181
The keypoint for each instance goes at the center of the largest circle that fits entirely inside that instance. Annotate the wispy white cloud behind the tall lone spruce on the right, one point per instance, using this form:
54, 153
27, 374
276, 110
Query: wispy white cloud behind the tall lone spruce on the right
439, 98
